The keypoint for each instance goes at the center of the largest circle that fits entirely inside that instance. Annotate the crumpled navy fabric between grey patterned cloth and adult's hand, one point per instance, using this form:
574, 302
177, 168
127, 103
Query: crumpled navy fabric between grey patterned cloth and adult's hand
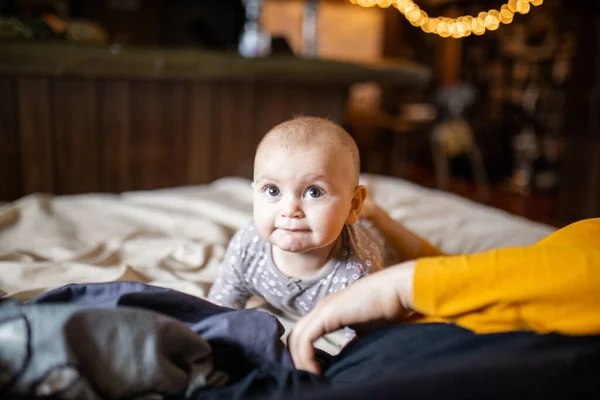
246, 345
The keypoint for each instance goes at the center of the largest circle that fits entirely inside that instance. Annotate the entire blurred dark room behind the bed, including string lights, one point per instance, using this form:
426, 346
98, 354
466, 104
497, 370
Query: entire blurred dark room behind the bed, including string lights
118, 95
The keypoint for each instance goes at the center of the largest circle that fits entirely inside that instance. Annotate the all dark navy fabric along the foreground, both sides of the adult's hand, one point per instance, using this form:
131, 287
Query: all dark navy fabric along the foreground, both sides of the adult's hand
412, 361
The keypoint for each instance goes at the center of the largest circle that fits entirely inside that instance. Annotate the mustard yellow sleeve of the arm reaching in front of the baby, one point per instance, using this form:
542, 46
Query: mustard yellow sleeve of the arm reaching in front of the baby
543, 288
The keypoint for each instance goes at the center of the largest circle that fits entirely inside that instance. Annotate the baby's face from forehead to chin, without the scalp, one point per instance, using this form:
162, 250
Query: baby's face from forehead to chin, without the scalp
302, 196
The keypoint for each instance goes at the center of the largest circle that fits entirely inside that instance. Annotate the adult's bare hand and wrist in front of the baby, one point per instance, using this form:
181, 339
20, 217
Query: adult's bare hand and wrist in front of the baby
383, 298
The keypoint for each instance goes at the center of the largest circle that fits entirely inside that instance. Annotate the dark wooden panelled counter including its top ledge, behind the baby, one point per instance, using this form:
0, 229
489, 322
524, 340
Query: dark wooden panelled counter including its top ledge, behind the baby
76, 120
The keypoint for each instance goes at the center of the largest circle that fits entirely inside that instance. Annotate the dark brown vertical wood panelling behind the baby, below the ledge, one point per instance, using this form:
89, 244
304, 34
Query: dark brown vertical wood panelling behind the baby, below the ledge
75, 135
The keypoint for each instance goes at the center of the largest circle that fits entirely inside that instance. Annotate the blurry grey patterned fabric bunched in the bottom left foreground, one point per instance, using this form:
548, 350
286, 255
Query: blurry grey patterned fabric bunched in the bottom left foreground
76, 352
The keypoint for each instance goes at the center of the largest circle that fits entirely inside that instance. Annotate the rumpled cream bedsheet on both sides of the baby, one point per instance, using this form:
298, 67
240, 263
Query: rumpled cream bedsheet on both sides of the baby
176, 237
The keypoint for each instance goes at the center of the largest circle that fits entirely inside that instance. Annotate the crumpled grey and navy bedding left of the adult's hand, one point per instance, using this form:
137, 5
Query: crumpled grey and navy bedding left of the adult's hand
130, 340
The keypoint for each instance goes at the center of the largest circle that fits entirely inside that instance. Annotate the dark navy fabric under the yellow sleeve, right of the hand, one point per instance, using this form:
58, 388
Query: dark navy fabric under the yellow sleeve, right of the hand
440, 361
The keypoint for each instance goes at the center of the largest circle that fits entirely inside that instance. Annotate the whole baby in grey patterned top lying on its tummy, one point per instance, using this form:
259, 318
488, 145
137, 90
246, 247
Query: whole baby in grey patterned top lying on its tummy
305, 242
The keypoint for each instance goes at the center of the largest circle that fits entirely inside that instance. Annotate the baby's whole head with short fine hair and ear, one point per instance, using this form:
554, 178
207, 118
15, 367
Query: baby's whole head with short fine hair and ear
306, 187
